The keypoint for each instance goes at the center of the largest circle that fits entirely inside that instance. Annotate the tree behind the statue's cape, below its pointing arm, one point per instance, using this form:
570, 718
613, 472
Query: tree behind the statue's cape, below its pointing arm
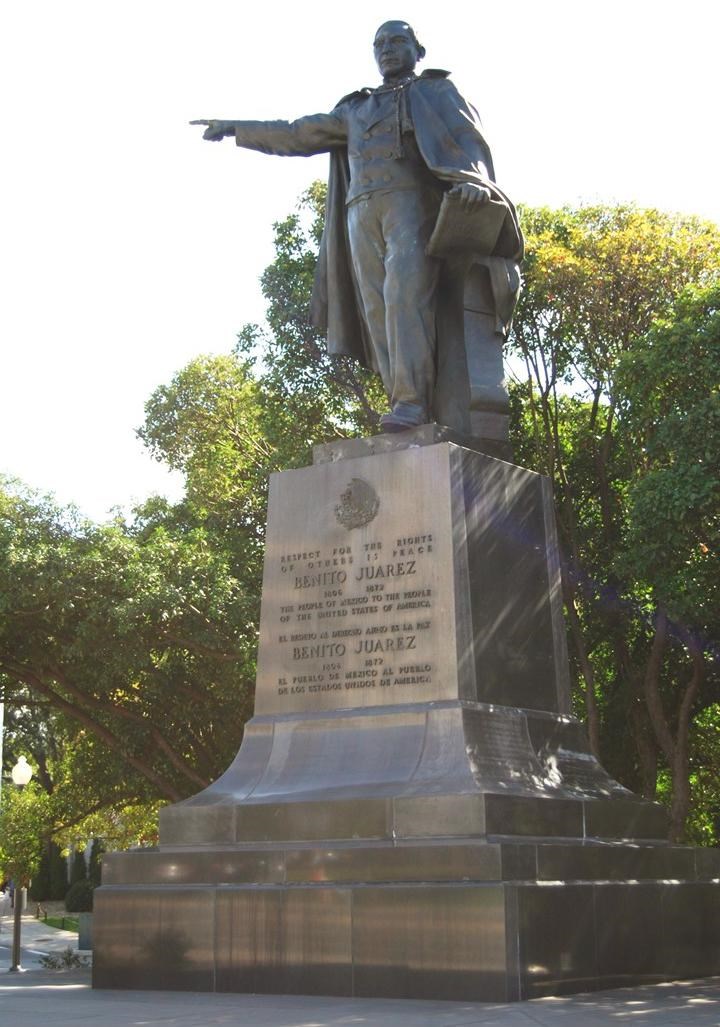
228, 423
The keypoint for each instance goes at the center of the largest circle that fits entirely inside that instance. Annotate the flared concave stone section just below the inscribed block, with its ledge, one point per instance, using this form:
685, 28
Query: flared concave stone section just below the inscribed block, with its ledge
412, 772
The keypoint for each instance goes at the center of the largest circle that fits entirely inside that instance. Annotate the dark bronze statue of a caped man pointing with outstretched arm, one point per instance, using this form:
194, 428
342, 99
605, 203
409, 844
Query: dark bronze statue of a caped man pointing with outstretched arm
397, 151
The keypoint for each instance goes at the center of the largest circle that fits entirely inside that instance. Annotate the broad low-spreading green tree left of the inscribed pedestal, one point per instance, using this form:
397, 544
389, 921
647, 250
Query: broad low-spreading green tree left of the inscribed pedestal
137, 633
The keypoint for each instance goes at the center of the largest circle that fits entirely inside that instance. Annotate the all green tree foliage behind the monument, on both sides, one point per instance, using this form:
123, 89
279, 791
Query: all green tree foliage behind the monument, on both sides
128, 650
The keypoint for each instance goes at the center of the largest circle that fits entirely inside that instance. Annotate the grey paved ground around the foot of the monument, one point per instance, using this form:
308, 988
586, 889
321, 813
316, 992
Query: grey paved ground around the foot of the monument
46, 999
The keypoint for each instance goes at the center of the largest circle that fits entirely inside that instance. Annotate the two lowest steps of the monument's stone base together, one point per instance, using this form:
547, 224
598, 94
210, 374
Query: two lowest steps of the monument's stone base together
462, 921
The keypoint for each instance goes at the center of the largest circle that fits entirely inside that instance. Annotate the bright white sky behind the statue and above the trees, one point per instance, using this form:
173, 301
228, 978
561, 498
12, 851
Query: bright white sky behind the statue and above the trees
128, 246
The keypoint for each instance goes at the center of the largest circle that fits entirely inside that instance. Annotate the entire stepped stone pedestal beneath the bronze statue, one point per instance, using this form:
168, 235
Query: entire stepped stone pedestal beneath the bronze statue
413, 812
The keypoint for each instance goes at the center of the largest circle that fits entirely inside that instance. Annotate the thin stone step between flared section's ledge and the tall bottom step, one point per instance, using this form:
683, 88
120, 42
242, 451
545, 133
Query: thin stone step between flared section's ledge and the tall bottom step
388, 862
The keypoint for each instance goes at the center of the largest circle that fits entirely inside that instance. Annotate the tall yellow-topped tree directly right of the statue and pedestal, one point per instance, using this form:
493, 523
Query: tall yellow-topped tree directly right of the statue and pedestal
596, 281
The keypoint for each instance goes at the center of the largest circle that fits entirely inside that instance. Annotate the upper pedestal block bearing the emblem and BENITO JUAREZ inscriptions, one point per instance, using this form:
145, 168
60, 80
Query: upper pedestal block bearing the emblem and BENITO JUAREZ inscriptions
426, 574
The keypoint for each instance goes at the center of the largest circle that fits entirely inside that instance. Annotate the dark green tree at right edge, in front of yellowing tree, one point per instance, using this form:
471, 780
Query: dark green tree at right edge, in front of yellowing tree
670, 408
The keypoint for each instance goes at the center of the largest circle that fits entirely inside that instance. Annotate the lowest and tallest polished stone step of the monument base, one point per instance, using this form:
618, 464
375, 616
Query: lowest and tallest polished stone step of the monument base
483, 941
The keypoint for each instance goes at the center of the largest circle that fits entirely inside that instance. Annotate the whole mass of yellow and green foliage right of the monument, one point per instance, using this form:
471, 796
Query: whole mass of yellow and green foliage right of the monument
618, 333
